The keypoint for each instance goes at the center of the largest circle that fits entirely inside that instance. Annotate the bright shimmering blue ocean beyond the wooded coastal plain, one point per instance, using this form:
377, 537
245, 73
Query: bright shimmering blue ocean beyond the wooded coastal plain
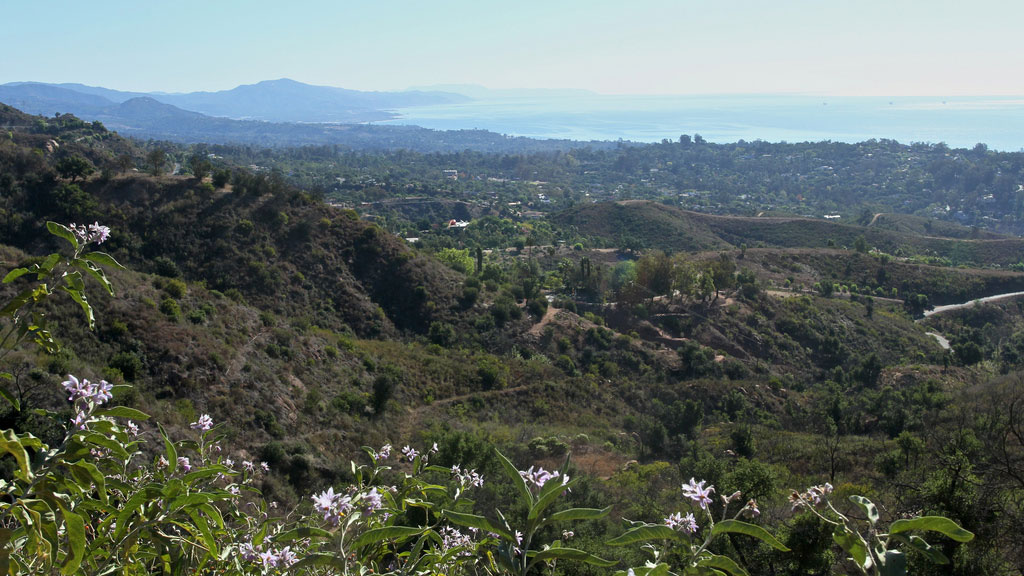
960, 122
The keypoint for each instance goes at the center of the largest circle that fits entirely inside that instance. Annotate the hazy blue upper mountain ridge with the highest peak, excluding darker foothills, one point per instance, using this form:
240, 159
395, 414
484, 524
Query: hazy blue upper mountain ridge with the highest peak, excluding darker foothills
272, 101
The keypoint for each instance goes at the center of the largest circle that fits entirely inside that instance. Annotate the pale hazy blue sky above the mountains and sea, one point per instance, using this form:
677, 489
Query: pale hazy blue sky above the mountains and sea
888, 48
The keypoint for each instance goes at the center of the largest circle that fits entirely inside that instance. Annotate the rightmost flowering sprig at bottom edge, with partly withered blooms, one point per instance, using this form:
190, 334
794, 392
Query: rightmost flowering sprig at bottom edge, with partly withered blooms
872, 550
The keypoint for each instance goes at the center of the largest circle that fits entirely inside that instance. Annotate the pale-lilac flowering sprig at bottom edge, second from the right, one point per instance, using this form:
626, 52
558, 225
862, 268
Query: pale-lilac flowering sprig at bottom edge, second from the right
693, 538
